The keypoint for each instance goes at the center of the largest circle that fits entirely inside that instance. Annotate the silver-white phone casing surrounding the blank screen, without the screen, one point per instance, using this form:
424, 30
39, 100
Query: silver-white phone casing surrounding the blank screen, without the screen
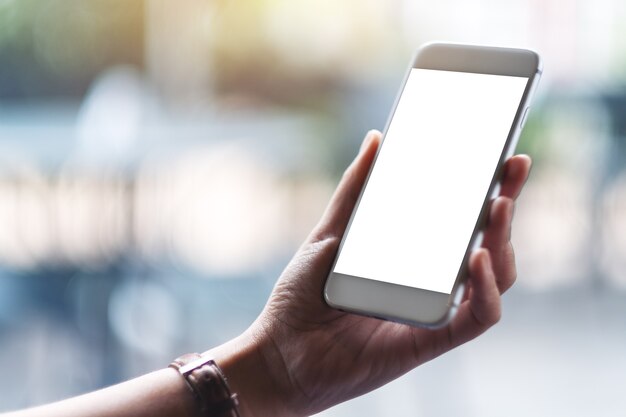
415, 306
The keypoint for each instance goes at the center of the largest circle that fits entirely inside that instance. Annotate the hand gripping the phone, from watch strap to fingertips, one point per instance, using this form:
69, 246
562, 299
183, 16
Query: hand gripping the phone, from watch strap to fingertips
301, 356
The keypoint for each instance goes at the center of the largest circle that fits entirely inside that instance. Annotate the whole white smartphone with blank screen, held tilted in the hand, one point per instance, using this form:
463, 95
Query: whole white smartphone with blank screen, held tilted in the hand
457, 119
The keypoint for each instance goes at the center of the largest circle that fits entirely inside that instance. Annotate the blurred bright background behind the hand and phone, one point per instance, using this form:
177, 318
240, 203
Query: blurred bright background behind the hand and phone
161, 161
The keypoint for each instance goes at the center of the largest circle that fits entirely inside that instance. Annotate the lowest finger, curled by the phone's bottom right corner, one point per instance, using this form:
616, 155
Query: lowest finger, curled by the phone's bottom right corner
482, 309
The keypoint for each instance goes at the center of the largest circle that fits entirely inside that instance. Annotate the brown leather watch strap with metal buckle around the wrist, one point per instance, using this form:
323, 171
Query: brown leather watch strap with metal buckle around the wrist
208, 385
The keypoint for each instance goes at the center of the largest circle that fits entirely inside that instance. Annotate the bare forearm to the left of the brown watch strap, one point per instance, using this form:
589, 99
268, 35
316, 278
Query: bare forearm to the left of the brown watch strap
160, 393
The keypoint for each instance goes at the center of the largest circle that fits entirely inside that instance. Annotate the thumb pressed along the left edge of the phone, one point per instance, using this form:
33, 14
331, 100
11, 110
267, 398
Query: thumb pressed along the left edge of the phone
337, 214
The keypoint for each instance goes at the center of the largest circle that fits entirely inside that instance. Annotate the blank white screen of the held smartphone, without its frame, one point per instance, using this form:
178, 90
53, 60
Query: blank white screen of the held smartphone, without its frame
424, 195
